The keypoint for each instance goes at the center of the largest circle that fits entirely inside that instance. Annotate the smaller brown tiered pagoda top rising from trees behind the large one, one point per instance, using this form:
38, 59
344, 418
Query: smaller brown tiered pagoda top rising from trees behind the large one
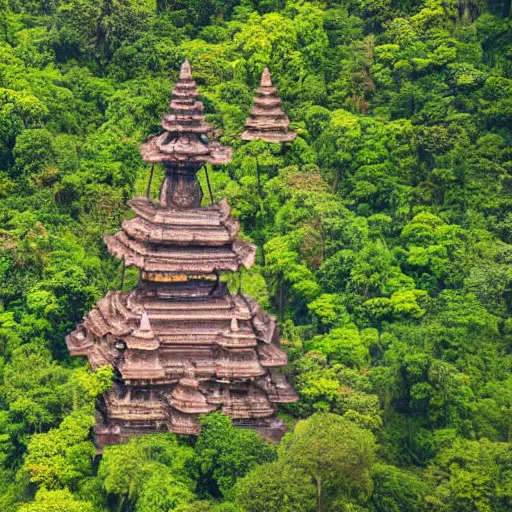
267, 121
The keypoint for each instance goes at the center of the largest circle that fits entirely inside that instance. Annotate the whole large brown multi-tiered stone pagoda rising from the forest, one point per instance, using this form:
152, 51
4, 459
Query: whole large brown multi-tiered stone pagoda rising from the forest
180, 344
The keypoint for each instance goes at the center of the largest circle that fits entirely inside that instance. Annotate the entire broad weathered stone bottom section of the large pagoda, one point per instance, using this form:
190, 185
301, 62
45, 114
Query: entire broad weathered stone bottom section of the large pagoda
186, 352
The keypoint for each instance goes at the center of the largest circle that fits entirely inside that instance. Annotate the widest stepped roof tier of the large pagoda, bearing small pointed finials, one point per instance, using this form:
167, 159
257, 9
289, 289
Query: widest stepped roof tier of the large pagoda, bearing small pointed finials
170, 325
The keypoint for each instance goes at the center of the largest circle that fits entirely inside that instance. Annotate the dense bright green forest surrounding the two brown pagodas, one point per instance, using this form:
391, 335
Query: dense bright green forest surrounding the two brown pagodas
384, 238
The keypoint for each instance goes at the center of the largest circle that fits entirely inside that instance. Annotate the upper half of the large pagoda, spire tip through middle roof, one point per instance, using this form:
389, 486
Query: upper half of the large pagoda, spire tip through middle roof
173, 237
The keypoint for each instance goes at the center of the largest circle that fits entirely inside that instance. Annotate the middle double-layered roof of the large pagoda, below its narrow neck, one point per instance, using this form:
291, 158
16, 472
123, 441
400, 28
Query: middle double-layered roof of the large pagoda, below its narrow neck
169, 241
